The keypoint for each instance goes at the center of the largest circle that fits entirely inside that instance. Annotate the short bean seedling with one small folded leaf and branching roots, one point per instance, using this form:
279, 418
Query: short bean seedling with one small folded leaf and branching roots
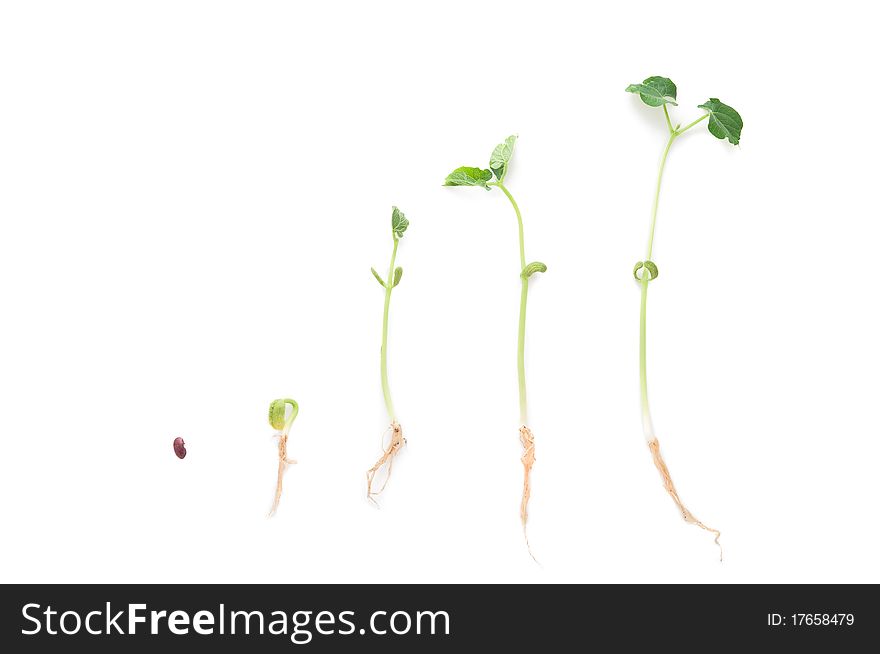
399, 223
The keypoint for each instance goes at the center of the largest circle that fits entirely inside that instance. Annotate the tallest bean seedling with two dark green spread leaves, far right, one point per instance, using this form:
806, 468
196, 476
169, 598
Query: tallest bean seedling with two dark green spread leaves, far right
723, 123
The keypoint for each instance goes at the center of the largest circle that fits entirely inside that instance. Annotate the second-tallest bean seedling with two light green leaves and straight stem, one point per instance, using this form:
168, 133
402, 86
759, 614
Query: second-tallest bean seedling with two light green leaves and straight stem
499, 162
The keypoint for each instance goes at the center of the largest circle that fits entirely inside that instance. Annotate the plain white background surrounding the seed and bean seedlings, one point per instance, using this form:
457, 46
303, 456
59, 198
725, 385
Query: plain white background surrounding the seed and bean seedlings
192, 195
